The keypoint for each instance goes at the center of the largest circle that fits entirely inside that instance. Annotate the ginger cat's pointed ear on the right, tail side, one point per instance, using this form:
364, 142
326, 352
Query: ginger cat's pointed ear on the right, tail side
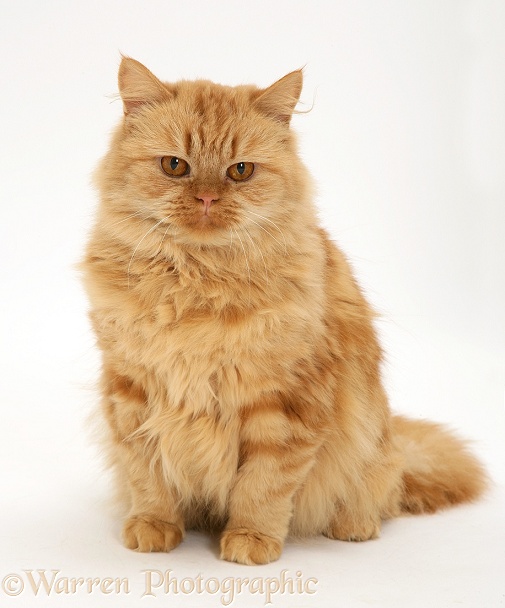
280, 99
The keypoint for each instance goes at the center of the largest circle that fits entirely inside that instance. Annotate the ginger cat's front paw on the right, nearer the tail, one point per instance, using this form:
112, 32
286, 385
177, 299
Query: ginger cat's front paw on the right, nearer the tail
249, 547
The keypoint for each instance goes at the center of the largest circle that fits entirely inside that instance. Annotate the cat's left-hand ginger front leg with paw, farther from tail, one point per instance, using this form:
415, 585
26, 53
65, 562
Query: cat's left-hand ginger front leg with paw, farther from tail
154, 522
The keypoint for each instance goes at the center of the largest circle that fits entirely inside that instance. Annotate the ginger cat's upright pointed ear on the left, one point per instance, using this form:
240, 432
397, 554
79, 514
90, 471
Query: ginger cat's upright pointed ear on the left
138, 86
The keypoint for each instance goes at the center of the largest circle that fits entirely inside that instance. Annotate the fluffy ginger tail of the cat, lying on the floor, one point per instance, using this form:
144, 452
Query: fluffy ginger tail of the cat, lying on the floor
439, 469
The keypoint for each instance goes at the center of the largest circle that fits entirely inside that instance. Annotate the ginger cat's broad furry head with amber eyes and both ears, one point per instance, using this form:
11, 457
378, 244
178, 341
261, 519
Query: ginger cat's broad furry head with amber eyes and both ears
204, 161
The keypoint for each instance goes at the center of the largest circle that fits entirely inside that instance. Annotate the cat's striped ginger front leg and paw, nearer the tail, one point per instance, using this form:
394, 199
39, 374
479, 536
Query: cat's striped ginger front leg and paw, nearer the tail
278, 446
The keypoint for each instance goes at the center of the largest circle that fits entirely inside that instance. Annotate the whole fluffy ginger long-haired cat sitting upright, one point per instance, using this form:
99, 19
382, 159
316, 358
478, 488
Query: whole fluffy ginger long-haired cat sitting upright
241, 383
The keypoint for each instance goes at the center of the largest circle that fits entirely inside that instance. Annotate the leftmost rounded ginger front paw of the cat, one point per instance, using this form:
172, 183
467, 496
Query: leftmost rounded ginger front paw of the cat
144, 533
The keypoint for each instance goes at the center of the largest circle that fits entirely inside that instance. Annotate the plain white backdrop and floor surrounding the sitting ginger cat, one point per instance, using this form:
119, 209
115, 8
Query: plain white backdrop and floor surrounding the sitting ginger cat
406, 141
